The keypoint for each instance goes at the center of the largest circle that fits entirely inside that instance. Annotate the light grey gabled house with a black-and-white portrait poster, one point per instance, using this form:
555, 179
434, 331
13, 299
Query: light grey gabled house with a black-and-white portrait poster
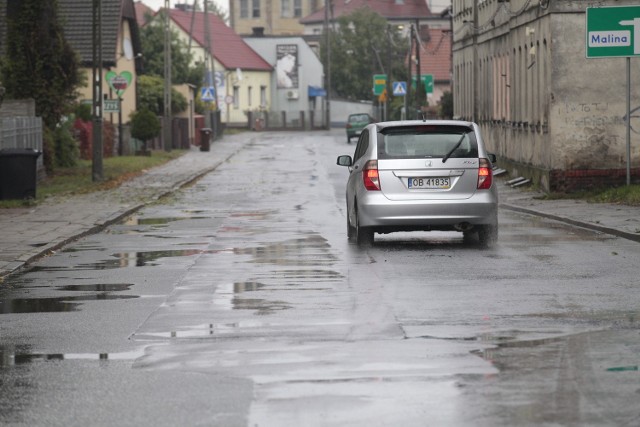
298, 99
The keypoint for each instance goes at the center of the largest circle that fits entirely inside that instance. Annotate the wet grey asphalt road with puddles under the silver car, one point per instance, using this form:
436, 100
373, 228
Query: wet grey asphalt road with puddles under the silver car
239, 302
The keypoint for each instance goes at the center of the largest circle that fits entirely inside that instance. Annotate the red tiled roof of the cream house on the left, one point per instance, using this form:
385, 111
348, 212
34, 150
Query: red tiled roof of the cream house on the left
229, 49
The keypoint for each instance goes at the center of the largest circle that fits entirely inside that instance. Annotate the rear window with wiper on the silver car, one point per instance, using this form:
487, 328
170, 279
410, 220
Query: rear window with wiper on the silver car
406, 142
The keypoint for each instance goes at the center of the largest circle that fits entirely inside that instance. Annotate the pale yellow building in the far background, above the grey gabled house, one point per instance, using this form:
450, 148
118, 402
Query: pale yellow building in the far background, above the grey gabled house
270, 17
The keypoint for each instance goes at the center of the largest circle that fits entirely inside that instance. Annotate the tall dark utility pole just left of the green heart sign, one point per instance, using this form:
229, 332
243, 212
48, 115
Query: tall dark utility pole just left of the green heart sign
96, 162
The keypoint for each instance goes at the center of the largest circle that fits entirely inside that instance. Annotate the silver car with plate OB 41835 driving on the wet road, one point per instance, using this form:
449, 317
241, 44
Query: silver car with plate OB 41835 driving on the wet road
421, 175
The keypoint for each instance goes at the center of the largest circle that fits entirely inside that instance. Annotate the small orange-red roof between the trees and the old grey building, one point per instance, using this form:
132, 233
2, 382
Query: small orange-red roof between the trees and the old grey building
435, 53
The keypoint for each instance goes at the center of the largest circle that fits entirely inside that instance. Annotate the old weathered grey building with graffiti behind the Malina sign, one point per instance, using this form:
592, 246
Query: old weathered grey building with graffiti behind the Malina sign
551, 114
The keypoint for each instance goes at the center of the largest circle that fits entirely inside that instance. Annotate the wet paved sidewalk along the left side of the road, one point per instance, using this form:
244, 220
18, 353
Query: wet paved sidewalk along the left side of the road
27, 234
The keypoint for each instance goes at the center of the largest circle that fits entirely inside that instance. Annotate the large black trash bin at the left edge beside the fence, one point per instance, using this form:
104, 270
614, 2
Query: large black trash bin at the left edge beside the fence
18, 172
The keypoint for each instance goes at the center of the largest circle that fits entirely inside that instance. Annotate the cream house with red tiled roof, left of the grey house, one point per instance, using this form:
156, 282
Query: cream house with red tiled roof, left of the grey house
242, 78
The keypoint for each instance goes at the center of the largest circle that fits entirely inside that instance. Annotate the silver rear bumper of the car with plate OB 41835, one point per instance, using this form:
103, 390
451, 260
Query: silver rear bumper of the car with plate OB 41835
377, 211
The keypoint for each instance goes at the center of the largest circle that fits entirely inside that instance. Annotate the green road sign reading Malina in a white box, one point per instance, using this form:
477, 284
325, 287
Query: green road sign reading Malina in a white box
613, 31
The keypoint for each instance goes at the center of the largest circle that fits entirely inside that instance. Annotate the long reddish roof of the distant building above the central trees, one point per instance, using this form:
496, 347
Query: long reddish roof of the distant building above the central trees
389, 9
